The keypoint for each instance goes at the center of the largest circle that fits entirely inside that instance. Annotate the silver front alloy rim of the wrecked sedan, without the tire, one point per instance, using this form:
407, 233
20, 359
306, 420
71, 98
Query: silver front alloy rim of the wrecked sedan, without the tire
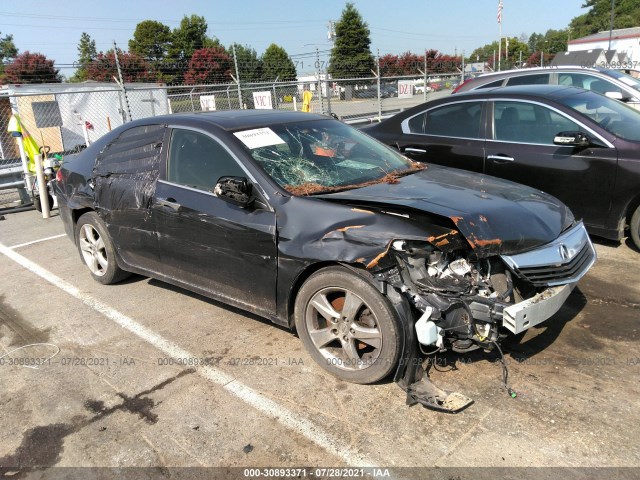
343, 329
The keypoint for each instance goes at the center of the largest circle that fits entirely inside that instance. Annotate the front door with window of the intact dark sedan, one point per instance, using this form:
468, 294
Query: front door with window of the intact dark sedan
521, 149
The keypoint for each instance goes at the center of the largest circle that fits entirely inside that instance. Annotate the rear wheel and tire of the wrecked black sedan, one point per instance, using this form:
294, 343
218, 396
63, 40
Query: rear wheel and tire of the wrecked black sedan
97, 251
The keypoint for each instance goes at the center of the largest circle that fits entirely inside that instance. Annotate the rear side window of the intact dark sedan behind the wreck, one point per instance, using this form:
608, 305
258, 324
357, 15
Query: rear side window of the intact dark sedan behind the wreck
461, 119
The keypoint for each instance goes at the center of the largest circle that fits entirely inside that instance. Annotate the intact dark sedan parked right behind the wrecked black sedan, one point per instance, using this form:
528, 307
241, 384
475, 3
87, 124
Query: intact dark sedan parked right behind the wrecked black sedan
577, 145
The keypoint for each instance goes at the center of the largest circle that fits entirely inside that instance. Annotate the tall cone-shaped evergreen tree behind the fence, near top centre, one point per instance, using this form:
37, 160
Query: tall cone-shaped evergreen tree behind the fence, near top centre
351, 56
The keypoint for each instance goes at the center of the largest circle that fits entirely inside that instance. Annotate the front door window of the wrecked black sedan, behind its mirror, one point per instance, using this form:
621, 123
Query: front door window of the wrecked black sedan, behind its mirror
197, 160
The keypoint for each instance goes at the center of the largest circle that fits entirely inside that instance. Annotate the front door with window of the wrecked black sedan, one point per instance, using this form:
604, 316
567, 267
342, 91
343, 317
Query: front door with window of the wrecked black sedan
207, 242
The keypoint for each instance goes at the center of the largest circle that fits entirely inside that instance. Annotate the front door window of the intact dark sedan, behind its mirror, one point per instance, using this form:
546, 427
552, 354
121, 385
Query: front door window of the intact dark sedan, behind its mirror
524, 122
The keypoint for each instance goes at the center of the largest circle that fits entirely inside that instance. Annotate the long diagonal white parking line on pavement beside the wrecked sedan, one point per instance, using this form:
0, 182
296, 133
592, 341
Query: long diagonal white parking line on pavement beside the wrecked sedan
291, 420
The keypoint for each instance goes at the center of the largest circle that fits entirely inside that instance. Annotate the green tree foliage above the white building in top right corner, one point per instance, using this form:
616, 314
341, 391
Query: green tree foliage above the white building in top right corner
598, 18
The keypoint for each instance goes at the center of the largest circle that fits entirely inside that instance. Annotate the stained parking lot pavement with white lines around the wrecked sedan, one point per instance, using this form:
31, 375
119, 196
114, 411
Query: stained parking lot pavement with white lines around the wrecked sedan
144, 374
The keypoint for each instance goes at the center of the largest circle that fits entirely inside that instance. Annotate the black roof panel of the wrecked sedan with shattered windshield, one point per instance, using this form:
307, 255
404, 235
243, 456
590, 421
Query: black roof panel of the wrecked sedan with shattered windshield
231, 119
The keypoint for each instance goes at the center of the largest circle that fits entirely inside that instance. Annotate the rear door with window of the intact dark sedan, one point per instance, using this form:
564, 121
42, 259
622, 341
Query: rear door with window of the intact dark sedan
450, 134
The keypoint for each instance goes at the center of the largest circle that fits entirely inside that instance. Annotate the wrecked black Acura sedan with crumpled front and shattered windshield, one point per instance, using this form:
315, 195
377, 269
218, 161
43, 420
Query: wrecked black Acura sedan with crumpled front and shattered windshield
374, 259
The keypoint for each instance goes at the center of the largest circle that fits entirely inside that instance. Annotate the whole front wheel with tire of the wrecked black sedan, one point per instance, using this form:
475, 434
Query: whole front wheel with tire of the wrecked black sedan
349, 328
